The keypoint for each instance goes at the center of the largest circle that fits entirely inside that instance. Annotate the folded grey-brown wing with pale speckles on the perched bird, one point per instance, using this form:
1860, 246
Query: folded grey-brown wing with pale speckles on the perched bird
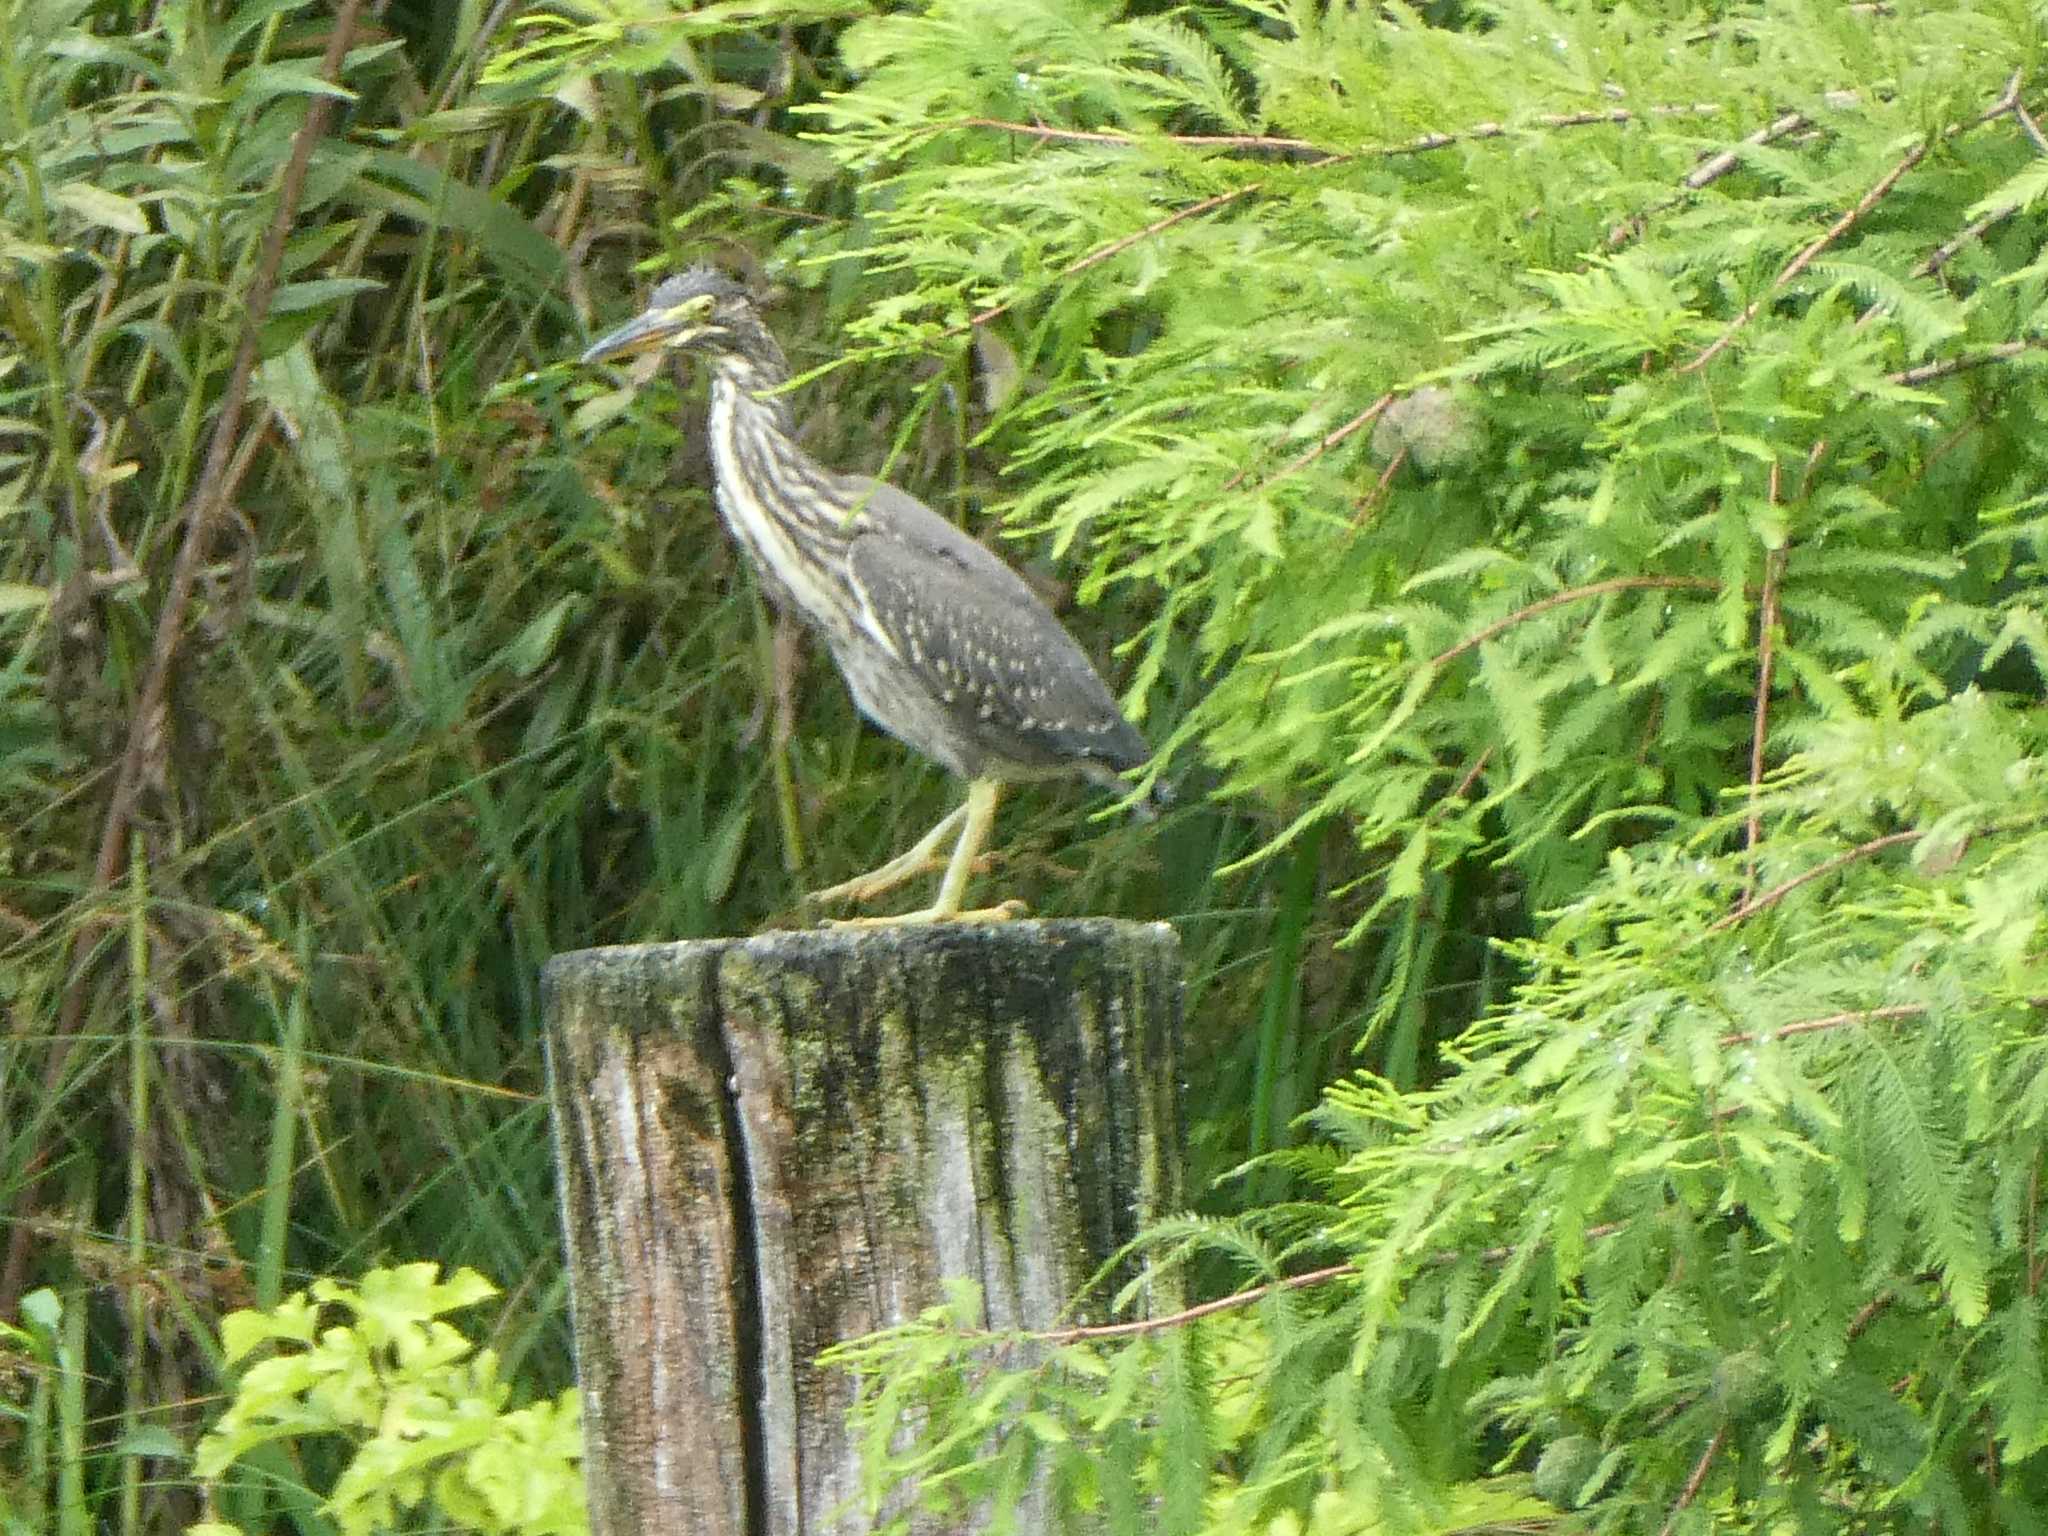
955, 613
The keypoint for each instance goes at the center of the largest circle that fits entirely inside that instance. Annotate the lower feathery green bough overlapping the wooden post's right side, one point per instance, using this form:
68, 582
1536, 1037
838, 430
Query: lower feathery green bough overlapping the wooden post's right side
1746, 1207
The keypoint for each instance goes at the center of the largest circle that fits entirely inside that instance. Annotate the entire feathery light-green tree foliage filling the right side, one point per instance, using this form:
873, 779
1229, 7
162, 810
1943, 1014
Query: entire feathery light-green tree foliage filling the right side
1689, 587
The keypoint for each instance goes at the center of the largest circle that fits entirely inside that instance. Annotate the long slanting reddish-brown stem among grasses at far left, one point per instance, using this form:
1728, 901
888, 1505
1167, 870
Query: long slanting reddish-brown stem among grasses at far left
218, 480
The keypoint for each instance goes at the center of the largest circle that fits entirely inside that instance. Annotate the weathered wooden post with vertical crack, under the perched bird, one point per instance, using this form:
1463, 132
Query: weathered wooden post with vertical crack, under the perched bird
777, 1144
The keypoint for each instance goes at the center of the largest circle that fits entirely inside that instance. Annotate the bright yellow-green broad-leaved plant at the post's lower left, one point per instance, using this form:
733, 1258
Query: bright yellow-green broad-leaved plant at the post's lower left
423, 1412
